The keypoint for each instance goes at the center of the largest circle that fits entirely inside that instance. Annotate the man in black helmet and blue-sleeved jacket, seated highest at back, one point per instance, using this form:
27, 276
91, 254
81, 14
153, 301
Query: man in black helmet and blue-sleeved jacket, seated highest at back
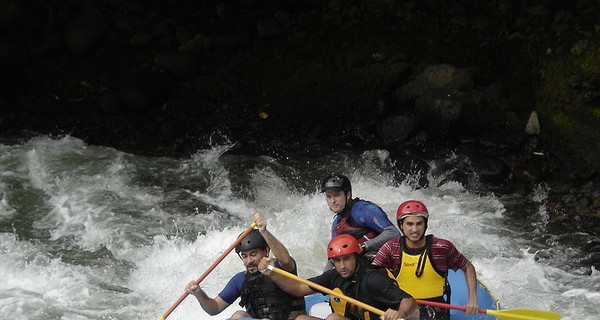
364, 220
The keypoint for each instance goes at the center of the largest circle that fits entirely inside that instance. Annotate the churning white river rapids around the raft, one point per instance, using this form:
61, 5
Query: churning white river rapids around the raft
89, 232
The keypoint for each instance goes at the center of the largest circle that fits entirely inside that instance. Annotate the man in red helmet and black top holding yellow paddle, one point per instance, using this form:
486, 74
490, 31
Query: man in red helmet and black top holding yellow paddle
359, 291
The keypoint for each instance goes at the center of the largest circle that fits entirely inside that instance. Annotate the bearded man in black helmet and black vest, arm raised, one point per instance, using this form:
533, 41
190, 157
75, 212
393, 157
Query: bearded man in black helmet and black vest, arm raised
261, 297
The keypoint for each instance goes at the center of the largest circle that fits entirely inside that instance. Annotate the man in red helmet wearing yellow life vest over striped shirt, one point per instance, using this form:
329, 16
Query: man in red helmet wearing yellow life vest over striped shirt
420, 263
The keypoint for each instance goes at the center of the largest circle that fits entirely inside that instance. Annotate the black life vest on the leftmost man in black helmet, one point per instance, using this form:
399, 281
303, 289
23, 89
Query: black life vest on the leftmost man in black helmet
262, 298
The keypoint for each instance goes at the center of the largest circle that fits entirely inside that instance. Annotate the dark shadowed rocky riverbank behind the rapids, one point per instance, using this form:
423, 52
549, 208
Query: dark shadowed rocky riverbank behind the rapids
421, 79
